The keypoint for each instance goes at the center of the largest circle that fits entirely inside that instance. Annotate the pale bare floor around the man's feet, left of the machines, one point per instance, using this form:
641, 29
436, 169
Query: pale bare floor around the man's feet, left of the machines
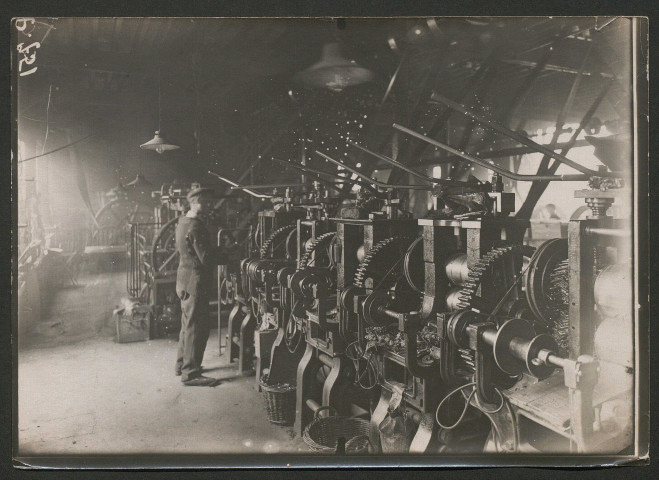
80, 392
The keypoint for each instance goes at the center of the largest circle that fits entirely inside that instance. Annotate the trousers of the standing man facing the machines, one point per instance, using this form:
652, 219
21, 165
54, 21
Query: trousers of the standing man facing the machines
195, 328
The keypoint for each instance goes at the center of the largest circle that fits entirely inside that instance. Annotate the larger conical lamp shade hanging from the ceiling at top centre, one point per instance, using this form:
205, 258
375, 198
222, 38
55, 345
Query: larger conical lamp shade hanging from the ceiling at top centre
333, 71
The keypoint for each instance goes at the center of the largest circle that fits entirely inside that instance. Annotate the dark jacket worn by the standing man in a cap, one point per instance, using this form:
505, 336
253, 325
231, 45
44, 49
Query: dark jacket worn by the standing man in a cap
198, 257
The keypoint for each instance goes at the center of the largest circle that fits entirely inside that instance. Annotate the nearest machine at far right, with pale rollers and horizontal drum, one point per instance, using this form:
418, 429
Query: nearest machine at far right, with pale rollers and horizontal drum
563, 368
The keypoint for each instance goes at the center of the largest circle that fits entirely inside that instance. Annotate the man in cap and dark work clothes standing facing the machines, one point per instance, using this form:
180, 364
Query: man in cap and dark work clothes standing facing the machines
194, 278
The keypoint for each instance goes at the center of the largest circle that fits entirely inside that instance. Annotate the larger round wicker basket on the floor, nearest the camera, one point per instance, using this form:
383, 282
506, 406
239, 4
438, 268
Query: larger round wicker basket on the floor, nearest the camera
322, 433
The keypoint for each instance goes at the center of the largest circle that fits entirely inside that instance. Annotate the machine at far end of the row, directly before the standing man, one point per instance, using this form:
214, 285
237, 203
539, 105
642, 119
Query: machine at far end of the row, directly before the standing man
260, 316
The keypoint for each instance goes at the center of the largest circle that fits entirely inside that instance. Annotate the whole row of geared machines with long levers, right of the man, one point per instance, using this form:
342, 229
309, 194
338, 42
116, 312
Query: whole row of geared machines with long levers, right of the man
449, 330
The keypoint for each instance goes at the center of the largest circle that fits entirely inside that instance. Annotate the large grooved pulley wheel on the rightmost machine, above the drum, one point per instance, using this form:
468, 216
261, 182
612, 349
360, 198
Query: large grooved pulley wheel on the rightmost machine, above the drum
537, 280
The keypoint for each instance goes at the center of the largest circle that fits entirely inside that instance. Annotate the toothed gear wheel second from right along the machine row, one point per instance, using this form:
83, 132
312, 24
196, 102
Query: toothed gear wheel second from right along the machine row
377, 262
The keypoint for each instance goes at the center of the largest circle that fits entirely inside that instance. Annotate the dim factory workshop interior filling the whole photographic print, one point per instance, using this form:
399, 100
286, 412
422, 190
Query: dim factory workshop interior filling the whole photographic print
424, 229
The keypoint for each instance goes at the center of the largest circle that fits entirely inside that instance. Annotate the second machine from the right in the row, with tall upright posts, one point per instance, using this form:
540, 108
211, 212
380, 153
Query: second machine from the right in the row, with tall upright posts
400, 287
